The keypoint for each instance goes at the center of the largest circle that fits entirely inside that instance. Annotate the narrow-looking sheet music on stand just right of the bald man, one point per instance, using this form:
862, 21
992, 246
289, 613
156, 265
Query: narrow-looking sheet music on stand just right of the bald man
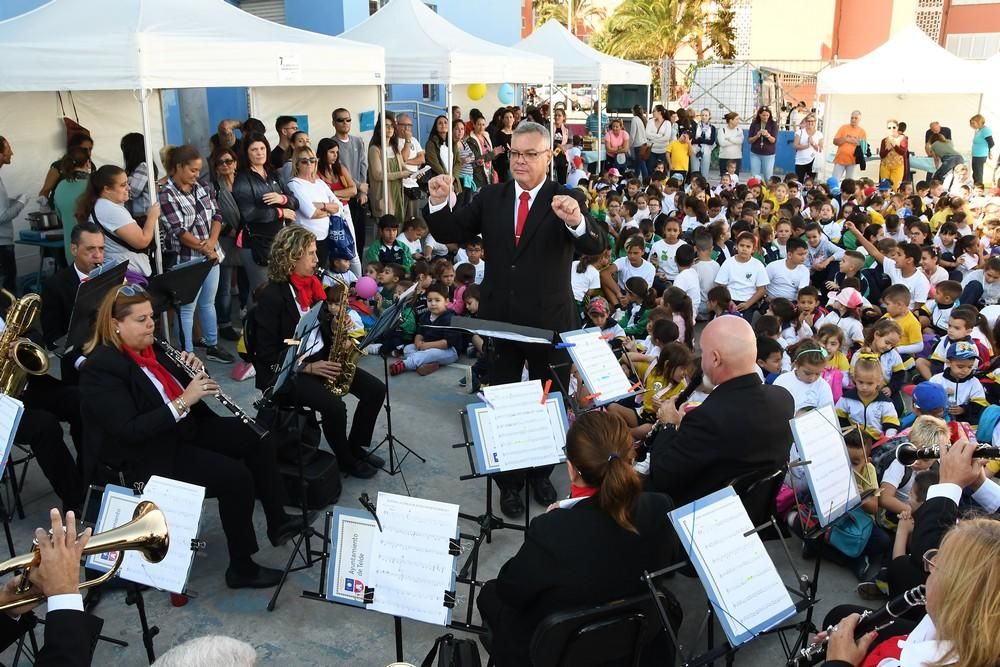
828, 473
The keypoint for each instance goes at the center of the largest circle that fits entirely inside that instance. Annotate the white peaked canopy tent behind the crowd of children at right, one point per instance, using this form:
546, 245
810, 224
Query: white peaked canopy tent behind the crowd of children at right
910, 77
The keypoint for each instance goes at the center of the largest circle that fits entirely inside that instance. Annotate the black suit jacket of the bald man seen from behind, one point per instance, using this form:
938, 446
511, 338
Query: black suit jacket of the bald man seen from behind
742, 426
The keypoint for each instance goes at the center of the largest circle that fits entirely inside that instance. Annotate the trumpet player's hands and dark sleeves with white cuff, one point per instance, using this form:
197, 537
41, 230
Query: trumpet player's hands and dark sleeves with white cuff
70, 633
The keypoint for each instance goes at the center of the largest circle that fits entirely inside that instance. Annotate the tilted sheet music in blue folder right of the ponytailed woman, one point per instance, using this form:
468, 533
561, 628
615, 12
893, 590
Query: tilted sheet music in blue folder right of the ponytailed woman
741, 581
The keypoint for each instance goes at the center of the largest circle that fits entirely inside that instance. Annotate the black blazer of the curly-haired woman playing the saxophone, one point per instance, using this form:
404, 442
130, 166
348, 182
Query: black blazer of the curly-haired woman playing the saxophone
276, 315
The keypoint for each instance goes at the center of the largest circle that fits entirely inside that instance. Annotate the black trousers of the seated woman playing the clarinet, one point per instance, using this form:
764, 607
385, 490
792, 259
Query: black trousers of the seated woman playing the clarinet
236, 467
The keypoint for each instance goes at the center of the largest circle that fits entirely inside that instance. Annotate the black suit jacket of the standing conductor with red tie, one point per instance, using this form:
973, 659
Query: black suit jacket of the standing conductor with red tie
526, 284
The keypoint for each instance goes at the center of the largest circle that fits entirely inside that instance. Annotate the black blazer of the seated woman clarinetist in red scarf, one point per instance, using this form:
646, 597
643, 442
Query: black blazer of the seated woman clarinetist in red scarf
127, 426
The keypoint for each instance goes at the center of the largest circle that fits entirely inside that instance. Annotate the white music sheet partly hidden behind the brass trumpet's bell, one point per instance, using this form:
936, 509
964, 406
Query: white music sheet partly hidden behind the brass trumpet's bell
181, 505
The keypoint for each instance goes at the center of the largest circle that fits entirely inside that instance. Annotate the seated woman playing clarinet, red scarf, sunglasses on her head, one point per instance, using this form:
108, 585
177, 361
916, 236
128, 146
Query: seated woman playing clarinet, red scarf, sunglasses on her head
145, 416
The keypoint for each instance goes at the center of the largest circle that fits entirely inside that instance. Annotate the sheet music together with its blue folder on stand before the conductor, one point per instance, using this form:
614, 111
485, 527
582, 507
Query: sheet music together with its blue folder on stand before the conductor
513, 430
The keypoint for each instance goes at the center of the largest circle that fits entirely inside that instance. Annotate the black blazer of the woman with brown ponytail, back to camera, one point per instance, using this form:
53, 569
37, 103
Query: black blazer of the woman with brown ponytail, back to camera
579, 556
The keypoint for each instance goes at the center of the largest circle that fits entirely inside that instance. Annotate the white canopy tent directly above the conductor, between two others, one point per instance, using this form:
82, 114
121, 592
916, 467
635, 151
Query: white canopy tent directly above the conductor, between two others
432, 50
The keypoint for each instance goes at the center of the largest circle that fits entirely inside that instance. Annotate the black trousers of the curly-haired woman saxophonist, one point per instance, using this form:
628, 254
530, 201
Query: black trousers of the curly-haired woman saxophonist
370, 392
